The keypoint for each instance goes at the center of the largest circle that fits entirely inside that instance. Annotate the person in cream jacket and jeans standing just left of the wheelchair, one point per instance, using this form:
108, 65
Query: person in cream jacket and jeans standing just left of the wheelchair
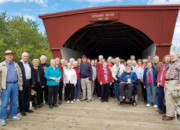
117, 71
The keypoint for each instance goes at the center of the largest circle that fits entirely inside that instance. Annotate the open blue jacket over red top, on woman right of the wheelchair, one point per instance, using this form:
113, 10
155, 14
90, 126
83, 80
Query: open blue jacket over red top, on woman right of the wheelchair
153, 74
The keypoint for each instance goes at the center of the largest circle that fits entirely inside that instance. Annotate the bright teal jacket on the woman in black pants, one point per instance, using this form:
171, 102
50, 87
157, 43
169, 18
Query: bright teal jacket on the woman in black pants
50, 72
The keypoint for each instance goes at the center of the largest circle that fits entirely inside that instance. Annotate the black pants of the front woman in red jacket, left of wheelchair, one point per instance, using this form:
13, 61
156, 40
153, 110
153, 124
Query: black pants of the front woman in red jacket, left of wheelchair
104, 92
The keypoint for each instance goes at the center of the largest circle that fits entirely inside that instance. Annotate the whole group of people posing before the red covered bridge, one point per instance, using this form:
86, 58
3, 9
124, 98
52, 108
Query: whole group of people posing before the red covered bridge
42, 83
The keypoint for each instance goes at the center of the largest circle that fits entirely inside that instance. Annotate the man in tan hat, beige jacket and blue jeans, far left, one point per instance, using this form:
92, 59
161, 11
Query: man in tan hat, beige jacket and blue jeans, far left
10, 82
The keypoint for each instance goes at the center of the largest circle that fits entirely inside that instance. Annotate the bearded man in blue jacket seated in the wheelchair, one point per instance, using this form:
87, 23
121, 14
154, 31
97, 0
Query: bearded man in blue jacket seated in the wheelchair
128, 82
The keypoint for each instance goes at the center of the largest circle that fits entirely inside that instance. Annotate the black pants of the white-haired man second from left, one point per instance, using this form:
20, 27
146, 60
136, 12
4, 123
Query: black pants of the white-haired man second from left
25, 96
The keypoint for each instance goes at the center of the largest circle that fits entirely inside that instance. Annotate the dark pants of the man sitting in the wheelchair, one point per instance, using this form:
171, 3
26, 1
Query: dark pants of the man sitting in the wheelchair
126, 90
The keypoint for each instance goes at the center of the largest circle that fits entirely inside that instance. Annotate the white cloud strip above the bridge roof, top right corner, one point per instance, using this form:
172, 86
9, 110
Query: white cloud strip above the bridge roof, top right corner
150, 2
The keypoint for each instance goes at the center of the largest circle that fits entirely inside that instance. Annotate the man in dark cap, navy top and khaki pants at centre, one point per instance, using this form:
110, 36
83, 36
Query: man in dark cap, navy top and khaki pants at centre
86, 78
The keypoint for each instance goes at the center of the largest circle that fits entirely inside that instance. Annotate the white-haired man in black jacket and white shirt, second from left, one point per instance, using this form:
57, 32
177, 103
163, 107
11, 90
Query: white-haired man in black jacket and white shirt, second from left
28, 83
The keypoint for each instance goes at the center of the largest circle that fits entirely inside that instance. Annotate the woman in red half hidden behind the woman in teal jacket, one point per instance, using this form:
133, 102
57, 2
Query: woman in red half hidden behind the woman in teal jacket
58, 64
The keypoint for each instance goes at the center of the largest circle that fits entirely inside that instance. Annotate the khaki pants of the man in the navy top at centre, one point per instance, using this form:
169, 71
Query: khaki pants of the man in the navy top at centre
86, 86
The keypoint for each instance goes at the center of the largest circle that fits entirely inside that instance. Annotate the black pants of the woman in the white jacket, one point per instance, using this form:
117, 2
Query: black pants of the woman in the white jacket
70, 91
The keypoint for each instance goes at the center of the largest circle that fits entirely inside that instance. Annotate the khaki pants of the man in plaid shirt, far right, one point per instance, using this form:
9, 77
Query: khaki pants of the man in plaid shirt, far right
170, 102
